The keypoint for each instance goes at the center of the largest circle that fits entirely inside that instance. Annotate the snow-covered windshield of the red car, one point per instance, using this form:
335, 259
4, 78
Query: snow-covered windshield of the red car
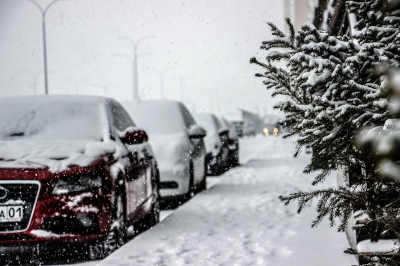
50, 121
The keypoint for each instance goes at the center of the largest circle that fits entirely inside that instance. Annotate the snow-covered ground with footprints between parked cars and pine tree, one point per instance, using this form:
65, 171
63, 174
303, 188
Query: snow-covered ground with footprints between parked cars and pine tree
239, 220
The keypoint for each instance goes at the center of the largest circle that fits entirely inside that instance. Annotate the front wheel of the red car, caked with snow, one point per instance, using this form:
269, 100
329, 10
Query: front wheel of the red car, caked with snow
117, 234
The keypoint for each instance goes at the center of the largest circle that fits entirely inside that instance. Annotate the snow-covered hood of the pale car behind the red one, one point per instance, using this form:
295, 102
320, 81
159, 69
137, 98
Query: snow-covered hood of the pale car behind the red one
172, 151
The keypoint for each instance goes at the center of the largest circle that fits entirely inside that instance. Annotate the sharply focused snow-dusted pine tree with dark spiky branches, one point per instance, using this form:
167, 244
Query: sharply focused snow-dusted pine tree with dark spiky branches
334, 93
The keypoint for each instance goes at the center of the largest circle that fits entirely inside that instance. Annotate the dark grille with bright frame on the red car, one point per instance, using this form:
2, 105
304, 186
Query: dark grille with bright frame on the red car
23, 191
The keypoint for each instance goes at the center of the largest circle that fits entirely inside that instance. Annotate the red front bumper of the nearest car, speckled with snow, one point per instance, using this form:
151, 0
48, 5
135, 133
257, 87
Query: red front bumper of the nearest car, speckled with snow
81, 217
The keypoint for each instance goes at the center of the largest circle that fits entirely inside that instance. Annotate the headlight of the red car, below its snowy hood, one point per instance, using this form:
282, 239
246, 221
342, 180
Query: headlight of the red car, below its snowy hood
77, 184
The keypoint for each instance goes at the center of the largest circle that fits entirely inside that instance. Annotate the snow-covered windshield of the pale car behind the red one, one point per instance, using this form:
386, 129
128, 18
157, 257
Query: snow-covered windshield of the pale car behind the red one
157, 116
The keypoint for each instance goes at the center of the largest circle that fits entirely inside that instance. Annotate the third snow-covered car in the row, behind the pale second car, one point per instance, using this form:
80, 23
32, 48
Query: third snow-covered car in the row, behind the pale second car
216, 143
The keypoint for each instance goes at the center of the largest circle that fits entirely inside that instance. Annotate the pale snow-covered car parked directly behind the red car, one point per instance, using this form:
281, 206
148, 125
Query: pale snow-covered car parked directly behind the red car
178, 145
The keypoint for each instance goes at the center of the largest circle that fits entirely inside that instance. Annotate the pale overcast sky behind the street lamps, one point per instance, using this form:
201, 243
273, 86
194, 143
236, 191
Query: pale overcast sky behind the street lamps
207, 43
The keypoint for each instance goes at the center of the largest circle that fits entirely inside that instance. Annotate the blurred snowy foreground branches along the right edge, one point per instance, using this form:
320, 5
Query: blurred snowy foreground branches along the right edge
383, 143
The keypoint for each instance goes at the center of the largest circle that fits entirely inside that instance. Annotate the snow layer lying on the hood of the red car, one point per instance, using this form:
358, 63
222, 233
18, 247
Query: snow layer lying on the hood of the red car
57, 156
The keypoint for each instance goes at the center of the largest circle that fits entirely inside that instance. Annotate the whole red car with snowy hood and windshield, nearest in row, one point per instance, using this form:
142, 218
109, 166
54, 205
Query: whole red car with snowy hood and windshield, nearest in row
74, 172
